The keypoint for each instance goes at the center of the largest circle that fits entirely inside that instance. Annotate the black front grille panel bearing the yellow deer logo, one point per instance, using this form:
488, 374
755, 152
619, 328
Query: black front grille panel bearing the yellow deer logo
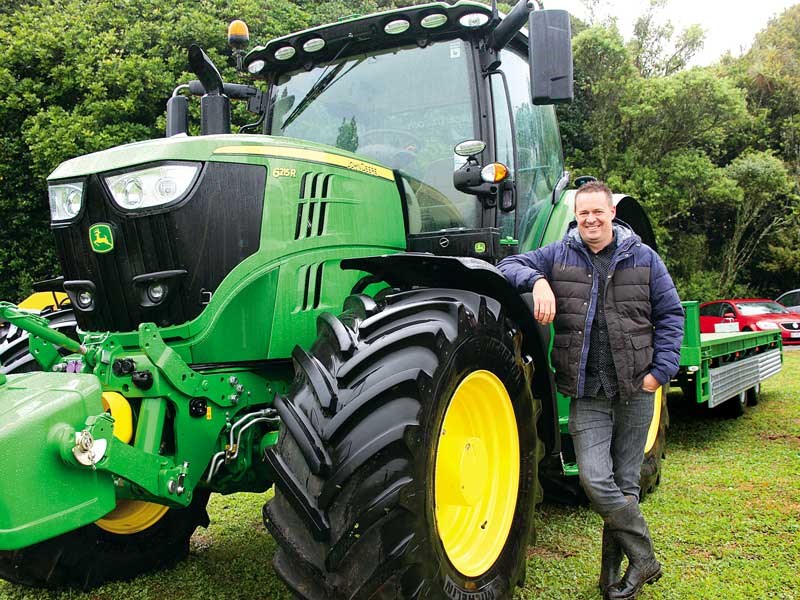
199, 241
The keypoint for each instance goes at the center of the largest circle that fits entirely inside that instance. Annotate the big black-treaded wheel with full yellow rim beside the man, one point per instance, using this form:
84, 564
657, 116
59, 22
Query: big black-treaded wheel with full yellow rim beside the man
408, 456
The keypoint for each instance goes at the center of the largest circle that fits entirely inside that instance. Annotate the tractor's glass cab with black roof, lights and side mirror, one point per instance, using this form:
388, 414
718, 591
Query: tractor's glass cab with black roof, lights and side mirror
406, 87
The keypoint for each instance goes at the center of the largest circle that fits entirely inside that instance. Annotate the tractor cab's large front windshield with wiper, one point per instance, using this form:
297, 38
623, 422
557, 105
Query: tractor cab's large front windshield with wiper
405, 108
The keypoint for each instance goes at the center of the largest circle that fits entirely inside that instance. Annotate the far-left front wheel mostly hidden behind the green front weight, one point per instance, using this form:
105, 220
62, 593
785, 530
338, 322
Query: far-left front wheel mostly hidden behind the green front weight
135, 538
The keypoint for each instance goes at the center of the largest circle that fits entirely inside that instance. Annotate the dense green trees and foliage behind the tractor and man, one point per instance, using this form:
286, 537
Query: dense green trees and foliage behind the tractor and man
712, 152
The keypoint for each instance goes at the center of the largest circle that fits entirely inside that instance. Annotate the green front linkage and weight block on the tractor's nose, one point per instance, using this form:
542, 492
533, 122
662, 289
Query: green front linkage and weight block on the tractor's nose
146, 428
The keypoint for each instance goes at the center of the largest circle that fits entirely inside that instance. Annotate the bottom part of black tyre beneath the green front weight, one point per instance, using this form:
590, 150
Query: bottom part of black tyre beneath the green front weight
90, 556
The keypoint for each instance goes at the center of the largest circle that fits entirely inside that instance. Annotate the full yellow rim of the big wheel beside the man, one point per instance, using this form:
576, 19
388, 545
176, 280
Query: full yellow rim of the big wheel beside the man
477, 473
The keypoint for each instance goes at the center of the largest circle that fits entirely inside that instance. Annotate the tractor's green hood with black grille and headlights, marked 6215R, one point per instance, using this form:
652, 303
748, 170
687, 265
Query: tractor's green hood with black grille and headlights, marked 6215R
132, 253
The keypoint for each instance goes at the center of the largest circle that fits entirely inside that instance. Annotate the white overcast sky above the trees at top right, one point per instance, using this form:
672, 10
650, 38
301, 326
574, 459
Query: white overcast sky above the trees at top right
729, 25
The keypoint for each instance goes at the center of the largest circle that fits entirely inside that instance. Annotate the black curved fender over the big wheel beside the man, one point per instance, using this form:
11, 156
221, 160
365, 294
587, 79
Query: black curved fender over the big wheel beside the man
409, 269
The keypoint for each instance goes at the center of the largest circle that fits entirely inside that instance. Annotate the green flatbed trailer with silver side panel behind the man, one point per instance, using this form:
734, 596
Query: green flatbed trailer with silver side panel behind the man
725, 369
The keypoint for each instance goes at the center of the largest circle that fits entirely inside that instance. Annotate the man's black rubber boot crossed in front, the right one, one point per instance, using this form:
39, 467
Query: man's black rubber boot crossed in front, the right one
630, 530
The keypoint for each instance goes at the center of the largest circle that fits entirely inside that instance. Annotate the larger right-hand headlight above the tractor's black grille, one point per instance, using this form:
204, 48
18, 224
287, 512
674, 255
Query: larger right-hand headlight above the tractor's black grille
152, 187
